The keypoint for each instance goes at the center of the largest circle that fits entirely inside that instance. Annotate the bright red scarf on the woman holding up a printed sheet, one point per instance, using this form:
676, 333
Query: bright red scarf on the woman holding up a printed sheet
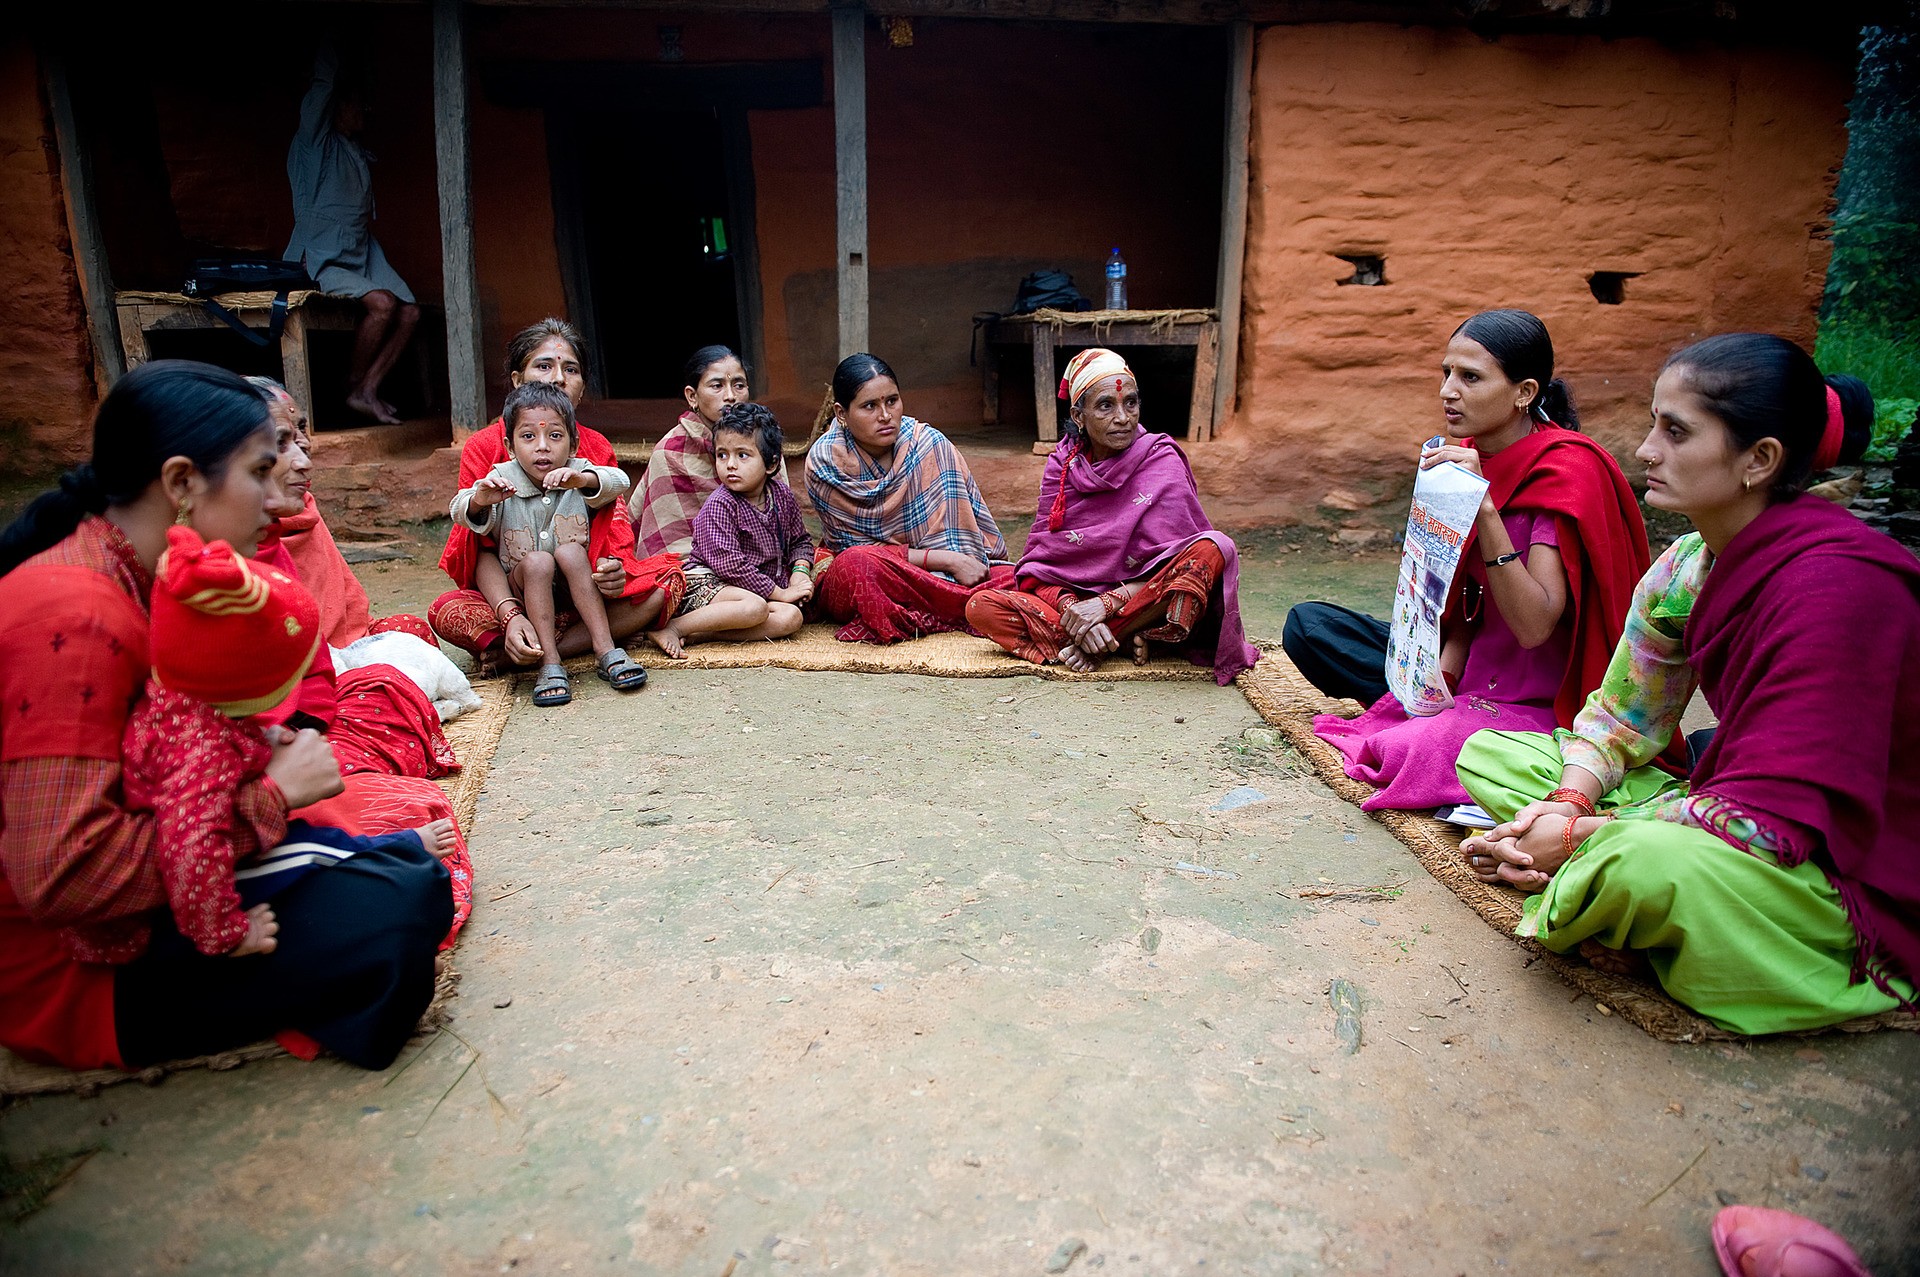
1602, 542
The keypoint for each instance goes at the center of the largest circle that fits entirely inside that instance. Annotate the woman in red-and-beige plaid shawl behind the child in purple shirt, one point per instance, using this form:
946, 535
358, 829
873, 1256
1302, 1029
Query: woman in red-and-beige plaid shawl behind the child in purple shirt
681, 473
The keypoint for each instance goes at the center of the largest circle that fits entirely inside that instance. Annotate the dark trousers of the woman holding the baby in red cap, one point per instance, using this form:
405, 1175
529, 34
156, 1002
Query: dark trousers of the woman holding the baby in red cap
354, 969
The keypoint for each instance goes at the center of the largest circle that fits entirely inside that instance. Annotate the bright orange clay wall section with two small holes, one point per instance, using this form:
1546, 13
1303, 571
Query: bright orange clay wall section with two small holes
1504, 174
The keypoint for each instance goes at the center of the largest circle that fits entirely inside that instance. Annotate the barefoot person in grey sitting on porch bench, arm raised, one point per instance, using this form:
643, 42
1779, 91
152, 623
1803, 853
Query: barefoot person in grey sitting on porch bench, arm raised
333, 229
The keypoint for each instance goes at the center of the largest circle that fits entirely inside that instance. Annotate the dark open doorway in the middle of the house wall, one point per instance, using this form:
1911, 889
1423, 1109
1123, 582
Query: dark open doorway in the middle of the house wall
660, 245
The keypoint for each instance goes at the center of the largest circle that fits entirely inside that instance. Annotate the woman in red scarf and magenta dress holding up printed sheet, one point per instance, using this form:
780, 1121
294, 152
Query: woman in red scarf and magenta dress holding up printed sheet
1543, 590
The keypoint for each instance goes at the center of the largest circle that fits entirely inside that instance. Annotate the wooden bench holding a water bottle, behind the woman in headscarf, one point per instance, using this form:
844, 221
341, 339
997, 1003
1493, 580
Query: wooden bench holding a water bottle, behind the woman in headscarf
1047, 331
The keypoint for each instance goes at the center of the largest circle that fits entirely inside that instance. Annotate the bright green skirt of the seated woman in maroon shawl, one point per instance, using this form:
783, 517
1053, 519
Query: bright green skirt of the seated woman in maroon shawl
1754, 946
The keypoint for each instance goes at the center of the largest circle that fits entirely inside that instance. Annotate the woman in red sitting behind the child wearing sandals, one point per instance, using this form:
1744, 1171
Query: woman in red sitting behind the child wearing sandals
481, 615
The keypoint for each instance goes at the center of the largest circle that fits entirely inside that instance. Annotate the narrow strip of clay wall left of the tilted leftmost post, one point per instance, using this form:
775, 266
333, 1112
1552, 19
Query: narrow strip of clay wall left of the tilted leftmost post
45, 352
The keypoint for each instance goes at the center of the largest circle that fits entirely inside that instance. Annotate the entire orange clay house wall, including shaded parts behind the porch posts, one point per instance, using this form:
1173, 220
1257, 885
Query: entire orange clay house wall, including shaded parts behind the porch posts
1487, 174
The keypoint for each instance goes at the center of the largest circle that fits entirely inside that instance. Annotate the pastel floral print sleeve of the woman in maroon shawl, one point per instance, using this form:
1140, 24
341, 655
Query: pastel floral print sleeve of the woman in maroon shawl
1637, 708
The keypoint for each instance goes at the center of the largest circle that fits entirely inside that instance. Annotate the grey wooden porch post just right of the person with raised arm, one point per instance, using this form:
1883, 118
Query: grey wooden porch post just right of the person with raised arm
456, 222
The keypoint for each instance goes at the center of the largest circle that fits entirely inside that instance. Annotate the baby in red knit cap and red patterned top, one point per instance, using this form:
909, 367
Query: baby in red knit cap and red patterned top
229, 638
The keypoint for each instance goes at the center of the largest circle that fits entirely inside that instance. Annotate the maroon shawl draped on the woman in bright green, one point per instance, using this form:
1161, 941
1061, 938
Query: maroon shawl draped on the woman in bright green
1808, 646
